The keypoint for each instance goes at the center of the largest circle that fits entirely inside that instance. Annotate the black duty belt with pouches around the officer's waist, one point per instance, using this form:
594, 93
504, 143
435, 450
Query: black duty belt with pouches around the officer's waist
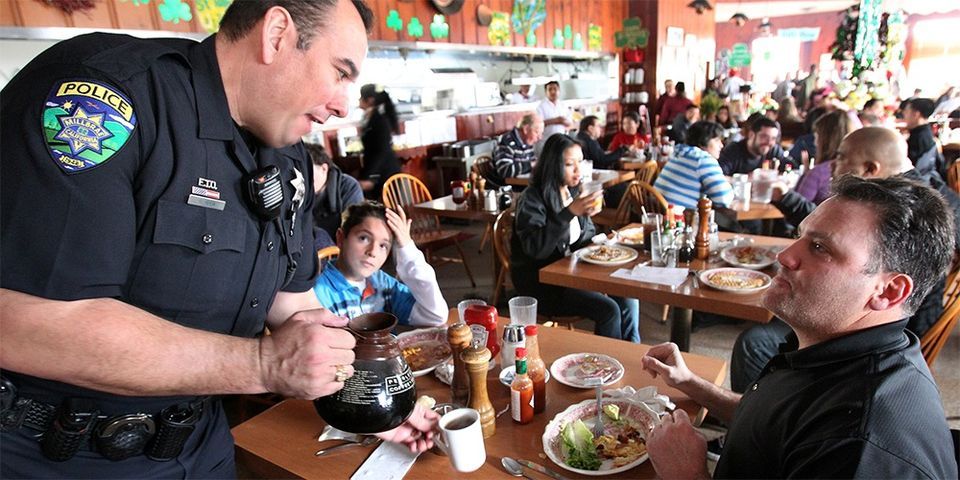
77, 424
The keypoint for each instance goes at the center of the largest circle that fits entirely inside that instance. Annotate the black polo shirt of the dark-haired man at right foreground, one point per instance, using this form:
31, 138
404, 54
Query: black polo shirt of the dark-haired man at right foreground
861, 406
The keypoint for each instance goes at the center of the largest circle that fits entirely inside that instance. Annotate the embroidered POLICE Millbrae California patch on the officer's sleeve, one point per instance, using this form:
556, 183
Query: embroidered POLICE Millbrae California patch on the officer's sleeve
85, 123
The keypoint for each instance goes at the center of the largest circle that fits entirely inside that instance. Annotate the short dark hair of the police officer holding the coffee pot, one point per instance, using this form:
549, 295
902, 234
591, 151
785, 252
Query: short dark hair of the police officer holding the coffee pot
310, 17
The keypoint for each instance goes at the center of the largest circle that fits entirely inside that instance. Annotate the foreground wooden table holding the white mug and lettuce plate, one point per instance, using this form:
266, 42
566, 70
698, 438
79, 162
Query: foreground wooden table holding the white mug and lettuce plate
280, 443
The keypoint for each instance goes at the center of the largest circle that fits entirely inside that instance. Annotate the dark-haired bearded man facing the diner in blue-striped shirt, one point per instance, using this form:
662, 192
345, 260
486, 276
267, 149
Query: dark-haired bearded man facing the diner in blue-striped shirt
760, 143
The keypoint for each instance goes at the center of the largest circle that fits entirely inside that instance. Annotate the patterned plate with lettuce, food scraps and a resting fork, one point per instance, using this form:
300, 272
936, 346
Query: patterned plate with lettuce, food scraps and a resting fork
568, 439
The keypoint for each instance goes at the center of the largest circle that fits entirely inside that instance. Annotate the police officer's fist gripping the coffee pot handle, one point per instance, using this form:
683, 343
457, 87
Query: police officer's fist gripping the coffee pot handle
300, 358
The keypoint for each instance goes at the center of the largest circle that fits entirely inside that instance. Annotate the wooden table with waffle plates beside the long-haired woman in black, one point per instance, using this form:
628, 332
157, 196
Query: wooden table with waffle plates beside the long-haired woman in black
568, 272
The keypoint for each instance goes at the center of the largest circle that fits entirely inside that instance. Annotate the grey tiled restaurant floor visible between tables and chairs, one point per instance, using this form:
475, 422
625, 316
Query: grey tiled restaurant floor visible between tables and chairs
715, 341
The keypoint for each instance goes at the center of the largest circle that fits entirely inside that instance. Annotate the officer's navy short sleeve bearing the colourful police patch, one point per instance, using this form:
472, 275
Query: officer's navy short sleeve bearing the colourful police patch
66, 235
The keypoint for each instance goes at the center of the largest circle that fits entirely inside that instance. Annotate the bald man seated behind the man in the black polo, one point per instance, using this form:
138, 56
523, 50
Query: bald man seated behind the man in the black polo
870, 152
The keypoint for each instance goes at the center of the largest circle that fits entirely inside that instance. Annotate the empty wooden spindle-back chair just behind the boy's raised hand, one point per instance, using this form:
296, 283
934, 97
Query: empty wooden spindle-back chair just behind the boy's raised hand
403, 191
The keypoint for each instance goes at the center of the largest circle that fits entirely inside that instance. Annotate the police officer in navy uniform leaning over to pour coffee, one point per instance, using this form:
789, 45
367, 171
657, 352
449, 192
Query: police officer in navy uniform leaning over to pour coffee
156, 215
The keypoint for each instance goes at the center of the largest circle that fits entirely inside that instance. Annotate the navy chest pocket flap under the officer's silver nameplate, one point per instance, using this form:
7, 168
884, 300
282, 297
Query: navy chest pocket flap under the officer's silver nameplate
201, 229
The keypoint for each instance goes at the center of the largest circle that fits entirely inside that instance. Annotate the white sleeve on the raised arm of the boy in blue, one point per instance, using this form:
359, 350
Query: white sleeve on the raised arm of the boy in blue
429, 308
